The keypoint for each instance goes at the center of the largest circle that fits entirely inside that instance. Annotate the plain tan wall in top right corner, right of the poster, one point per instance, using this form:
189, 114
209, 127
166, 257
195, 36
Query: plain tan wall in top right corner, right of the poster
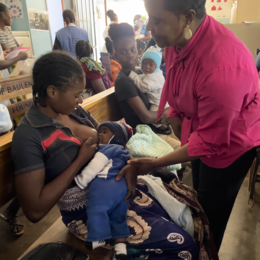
248, 10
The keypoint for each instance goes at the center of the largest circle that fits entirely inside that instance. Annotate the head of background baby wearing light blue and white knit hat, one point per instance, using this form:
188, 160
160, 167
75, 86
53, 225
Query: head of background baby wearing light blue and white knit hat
151, 60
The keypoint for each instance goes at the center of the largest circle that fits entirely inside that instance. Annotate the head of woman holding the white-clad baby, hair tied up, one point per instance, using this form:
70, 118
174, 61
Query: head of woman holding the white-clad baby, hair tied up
123, 37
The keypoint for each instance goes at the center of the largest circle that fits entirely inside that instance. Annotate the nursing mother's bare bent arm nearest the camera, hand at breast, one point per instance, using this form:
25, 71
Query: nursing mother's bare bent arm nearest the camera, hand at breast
36, 198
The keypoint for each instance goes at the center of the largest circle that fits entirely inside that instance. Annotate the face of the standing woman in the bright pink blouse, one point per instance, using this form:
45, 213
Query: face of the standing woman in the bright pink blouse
166, 28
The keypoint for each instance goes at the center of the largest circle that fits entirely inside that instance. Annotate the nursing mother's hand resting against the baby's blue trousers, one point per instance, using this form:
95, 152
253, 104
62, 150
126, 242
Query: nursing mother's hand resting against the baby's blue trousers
130, 173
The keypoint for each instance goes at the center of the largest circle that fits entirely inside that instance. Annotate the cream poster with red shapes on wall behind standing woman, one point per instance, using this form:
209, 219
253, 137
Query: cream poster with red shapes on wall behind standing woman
219, 9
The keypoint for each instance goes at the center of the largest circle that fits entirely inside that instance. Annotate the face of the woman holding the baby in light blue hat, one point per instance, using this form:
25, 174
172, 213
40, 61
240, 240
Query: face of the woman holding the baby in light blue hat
126, 53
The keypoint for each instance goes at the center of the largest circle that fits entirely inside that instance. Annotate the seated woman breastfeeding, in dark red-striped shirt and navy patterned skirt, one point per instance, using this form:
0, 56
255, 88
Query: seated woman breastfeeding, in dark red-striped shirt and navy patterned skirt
48, 153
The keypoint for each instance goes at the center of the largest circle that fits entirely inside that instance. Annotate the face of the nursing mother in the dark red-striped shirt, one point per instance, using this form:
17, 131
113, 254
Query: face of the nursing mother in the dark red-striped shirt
66, 102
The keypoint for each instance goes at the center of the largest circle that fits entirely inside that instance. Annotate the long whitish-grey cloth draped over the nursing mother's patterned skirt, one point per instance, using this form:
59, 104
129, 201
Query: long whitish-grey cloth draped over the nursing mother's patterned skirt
178, 211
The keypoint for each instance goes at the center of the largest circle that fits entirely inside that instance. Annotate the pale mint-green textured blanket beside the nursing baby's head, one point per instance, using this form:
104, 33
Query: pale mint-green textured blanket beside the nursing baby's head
145, 143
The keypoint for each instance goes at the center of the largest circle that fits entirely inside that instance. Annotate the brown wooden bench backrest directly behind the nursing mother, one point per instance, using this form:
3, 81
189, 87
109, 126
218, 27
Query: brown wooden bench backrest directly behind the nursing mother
103, 107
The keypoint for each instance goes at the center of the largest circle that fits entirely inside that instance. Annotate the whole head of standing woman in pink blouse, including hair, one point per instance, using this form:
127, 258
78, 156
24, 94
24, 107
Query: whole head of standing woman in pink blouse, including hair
168, 20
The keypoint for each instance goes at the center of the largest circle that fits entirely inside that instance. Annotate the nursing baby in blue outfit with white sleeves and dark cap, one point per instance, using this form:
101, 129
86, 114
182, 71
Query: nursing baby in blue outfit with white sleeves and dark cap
106, 207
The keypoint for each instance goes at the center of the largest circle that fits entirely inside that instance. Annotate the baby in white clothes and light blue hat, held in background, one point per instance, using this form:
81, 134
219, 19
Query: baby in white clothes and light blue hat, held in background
152, 81
